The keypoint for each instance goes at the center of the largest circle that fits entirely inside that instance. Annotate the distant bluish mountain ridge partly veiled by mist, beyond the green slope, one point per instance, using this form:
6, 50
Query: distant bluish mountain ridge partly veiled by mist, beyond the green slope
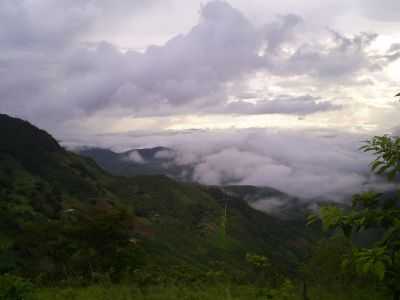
160, 160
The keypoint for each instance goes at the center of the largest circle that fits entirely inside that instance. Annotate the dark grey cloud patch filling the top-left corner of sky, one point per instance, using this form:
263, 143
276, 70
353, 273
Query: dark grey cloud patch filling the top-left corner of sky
42, 23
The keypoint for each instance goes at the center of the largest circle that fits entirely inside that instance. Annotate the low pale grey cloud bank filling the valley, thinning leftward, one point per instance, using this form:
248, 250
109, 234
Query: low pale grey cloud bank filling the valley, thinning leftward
315, 165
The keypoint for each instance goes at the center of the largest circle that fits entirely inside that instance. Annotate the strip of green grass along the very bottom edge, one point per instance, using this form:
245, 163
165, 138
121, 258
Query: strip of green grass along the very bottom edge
126, 292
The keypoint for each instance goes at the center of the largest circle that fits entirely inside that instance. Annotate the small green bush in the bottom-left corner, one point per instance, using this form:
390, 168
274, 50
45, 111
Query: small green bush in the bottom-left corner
15, 288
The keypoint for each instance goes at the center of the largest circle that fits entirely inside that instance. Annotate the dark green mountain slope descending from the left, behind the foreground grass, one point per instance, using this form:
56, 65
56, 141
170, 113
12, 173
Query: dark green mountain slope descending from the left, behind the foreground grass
63, 216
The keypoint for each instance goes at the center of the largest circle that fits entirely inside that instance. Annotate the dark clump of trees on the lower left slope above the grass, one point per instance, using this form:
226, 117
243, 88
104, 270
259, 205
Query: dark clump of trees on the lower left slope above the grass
82, 243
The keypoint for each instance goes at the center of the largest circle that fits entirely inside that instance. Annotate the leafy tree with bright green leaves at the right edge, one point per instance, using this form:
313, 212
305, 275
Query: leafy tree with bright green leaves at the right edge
371, 210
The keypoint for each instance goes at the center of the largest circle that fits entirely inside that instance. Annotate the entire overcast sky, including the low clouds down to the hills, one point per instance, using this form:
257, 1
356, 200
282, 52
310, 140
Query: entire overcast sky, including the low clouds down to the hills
312, 77
